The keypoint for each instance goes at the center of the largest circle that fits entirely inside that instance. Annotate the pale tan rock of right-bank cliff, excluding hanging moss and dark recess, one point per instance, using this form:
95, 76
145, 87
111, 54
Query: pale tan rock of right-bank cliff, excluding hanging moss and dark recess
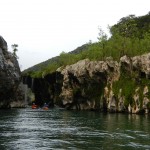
89, 84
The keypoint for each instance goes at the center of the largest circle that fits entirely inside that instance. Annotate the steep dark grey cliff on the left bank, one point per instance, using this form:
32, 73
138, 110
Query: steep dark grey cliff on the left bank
10, 77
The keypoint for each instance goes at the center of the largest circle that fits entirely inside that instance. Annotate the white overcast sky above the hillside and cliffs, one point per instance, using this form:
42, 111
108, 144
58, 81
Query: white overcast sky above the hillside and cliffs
45, 28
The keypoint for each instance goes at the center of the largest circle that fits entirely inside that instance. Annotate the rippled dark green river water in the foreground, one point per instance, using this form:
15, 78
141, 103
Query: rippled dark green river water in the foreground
27, 129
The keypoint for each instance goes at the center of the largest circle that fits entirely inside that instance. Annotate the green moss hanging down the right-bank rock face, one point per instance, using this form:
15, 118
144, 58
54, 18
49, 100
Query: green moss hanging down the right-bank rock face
128, 84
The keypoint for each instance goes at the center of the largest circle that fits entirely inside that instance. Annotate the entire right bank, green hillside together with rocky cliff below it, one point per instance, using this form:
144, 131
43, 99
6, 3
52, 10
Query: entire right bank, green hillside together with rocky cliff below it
88, 78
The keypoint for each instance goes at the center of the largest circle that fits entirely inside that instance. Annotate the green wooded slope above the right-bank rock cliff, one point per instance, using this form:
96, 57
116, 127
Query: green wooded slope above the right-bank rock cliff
130, 36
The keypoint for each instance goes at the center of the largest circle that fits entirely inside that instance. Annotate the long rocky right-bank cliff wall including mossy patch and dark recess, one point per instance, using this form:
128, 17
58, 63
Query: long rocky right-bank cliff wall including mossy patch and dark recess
98, 85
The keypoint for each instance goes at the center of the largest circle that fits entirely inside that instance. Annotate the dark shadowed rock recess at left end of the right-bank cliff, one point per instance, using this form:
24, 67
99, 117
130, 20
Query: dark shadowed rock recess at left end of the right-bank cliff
46, 89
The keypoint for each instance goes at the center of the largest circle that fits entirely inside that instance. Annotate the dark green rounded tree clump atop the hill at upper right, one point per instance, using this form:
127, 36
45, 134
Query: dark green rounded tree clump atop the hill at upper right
132, 26
